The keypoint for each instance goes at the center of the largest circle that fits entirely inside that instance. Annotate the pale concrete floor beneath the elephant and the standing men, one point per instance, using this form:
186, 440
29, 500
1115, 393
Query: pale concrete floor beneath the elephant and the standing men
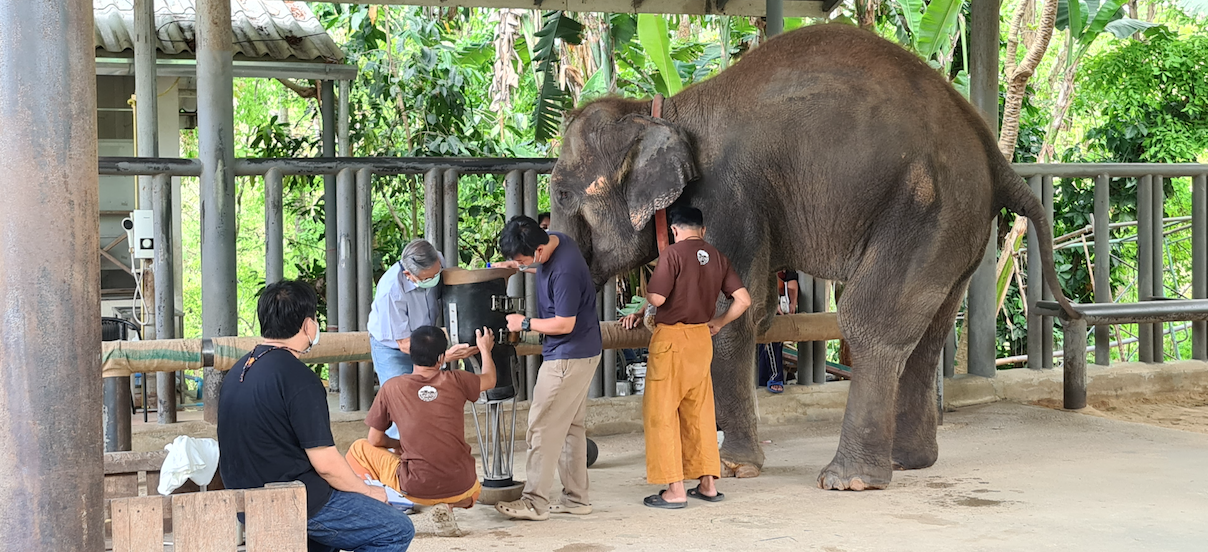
1010, 478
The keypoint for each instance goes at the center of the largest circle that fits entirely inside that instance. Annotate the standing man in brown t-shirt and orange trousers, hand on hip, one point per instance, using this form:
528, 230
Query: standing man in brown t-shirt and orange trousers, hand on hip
677, 411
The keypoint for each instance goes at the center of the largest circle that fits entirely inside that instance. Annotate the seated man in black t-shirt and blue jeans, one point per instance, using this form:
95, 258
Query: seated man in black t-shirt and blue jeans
274, 427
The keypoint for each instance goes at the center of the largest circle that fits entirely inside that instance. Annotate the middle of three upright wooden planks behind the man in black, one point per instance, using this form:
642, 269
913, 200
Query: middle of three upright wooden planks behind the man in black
205, 522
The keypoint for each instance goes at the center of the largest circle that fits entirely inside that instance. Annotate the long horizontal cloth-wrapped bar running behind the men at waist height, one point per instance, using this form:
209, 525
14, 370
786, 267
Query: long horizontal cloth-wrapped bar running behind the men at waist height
123, 358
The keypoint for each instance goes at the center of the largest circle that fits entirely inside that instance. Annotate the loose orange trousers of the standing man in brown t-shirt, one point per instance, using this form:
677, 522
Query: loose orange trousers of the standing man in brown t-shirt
677, 409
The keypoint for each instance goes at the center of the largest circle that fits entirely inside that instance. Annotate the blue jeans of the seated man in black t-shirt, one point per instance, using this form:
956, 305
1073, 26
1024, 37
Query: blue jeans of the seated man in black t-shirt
358, 524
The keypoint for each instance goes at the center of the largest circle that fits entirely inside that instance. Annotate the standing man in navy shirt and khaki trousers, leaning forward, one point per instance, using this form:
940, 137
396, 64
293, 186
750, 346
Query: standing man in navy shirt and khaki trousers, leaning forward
567, 317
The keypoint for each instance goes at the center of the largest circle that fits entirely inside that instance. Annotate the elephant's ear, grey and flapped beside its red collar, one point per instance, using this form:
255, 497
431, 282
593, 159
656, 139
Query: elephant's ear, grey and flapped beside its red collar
660, 164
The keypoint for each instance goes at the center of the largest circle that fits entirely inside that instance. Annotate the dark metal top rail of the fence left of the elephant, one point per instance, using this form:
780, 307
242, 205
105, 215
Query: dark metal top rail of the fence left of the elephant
379, 166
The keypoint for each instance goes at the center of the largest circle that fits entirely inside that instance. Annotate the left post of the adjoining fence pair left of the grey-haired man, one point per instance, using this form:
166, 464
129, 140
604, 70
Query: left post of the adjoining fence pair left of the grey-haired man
346, 218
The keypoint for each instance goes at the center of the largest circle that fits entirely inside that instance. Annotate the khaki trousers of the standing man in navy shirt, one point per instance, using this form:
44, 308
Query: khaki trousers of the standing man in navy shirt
557, 438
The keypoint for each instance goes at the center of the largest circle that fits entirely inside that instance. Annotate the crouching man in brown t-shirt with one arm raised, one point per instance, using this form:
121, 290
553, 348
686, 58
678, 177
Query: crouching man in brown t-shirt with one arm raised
431, 462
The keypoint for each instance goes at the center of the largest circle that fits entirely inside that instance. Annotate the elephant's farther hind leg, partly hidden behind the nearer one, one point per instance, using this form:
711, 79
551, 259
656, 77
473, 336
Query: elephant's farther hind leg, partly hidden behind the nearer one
915, 446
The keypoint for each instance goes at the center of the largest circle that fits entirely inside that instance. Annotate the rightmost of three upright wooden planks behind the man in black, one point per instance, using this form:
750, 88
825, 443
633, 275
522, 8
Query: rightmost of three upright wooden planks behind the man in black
276, 519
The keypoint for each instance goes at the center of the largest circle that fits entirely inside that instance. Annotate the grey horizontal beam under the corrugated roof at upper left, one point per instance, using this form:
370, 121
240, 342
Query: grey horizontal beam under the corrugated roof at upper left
241, 69
